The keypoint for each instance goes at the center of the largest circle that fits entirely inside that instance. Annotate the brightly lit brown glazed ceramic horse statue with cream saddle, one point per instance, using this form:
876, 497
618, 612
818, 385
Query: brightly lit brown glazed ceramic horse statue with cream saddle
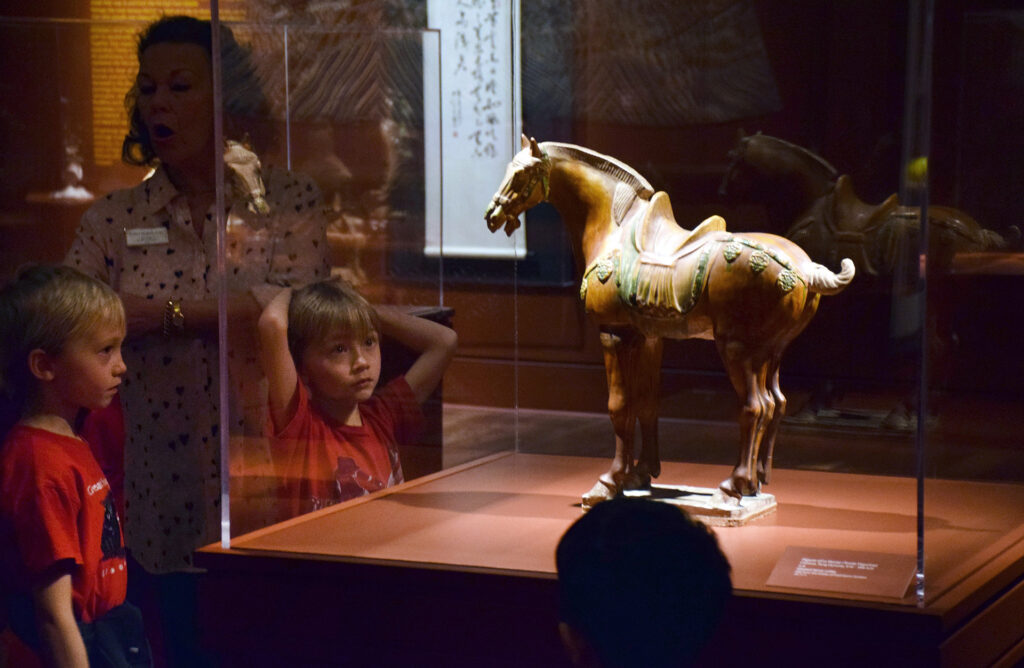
644, 278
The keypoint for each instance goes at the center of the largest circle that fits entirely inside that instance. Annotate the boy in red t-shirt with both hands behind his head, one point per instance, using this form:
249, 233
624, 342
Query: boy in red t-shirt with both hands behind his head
332, 437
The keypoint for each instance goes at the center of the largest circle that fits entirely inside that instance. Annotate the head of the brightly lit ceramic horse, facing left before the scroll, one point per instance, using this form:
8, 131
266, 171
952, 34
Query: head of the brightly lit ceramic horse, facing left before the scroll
520, 191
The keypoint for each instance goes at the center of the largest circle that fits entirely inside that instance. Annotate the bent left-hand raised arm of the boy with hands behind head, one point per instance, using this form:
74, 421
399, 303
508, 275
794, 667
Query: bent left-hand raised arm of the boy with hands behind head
277, 360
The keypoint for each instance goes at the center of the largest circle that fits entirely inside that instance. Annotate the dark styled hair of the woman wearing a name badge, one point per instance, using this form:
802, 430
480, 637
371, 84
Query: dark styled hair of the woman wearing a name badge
242, 91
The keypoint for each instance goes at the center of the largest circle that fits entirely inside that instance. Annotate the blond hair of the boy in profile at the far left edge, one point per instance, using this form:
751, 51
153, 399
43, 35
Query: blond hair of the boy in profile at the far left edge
46, 307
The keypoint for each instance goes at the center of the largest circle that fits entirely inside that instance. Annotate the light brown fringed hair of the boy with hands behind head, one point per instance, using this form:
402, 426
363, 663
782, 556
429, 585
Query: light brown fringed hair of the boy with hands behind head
325, 309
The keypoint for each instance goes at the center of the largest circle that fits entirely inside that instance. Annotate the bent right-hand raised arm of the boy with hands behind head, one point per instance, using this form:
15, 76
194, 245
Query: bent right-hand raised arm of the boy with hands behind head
435, 343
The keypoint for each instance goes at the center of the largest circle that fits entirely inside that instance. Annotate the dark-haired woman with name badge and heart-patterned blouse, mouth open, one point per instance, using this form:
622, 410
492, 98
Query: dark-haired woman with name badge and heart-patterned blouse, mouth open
157, 245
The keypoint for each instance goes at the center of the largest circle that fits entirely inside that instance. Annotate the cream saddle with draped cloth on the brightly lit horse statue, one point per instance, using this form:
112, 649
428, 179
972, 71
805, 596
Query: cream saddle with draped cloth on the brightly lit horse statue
660, 267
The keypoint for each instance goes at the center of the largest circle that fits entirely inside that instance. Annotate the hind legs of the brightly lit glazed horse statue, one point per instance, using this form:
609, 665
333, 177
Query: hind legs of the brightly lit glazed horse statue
749, 375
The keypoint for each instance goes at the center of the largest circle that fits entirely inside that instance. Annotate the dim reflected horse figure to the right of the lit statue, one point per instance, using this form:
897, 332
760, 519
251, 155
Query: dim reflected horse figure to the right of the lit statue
812, 203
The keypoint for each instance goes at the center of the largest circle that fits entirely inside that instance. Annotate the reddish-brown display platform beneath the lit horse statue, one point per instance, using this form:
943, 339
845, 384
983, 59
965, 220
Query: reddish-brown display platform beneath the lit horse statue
458, 569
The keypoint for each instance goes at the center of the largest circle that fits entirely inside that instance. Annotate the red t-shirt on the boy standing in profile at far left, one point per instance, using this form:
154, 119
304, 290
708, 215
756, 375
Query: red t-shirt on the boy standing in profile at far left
56, 505
